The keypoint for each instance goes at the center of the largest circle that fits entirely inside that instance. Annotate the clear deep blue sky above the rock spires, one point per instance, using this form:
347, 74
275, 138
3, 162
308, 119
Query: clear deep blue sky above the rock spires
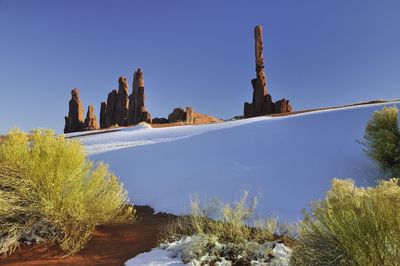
193, 53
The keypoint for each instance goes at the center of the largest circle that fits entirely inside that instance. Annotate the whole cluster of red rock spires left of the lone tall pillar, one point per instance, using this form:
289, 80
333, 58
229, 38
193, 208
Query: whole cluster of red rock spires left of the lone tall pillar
122, 109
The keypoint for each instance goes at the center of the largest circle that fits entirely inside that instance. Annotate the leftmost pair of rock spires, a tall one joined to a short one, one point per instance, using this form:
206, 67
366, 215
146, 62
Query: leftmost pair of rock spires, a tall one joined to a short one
74, 121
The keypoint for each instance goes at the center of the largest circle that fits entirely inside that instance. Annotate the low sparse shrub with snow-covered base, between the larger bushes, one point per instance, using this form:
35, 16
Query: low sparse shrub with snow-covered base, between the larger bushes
216, 232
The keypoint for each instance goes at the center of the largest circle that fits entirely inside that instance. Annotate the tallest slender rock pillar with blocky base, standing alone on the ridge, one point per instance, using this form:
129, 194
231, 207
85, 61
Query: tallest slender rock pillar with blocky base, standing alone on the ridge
262, 103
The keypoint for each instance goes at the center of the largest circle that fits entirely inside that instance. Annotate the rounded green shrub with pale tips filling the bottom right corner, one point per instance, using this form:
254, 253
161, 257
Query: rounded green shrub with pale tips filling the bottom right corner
352, 226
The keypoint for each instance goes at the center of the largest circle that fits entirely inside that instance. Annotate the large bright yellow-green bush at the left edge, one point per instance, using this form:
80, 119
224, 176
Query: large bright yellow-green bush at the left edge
49, 188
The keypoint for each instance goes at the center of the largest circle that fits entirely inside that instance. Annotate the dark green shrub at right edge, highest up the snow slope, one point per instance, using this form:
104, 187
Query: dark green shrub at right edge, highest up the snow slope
382, 140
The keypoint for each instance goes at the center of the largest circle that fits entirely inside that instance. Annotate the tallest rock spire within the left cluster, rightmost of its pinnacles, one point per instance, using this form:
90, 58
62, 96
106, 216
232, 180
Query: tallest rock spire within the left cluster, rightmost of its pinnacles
137, 111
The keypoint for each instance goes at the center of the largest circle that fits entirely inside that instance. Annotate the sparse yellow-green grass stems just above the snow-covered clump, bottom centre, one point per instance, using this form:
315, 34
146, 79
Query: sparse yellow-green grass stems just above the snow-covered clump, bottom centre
229, 223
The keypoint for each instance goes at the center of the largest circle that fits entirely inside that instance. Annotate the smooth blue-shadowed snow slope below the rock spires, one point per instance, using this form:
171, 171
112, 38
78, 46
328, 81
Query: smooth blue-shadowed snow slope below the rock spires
285, 161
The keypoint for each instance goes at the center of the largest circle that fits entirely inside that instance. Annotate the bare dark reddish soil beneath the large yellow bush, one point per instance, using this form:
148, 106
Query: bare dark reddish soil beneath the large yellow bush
110, 245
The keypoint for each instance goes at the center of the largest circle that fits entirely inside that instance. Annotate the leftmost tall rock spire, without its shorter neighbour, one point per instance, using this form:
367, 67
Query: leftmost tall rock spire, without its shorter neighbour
74, 120
